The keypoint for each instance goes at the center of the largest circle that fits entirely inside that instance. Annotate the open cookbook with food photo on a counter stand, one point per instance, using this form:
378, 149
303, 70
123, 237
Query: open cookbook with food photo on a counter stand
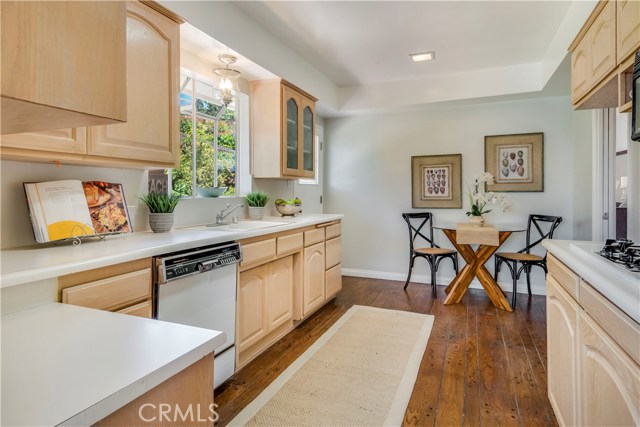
71, 208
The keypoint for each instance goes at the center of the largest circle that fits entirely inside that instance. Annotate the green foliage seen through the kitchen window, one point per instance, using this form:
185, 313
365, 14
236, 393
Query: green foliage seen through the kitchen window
205, 152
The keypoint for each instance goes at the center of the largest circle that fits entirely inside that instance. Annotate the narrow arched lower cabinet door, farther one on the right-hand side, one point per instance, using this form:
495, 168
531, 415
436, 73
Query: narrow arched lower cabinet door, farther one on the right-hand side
562, 341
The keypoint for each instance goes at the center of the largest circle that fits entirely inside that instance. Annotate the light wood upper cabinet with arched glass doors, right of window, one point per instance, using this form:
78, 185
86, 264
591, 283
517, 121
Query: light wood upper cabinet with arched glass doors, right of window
282, 130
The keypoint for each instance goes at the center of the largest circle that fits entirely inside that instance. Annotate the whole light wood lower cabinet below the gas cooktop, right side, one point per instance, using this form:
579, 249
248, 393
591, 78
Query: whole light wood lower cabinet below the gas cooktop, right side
592, 380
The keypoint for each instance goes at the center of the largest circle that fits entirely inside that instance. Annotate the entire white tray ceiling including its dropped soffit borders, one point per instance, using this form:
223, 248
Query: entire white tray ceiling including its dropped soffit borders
354, 55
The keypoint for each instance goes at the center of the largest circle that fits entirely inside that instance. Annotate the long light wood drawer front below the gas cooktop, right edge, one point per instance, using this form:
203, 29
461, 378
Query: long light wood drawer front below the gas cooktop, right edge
624, 330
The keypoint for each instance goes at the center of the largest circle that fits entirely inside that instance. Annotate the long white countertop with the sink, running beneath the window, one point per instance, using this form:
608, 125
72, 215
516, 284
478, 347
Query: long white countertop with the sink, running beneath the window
24, 265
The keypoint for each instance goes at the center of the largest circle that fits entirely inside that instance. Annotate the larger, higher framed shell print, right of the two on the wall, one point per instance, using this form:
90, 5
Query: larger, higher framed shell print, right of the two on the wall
516, 162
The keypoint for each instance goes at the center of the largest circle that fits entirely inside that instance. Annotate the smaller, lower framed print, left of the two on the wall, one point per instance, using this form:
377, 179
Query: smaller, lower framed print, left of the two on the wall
436, 181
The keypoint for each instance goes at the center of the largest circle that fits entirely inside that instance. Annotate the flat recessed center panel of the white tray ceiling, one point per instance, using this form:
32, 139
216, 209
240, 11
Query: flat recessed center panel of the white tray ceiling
366, 42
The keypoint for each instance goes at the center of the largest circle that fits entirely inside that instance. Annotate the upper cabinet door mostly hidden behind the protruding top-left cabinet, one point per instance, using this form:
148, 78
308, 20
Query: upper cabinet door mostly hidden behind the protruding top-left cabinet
35, 144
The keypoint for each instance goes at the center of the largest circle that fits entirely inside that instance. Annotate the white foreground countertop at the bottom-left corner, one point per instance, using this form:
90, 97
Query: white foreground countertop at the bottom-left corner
74, 365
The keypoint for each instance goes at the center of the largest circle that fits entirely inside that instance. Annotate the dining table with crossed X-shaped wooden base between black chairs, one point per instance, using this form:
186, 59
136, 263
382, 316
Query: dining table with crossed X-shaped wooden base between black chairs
476, 258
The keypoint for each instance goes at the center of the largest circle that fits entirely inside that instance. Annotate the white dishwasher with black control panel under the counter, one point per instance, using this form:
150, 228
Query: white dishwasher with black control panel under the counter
197, 287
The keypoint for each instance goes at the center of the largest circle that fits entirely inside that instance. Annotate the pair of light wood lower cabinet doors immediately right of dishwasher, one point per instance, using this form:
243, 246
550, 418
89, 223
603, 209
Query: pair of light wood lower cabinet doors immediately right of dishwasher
265, 301
